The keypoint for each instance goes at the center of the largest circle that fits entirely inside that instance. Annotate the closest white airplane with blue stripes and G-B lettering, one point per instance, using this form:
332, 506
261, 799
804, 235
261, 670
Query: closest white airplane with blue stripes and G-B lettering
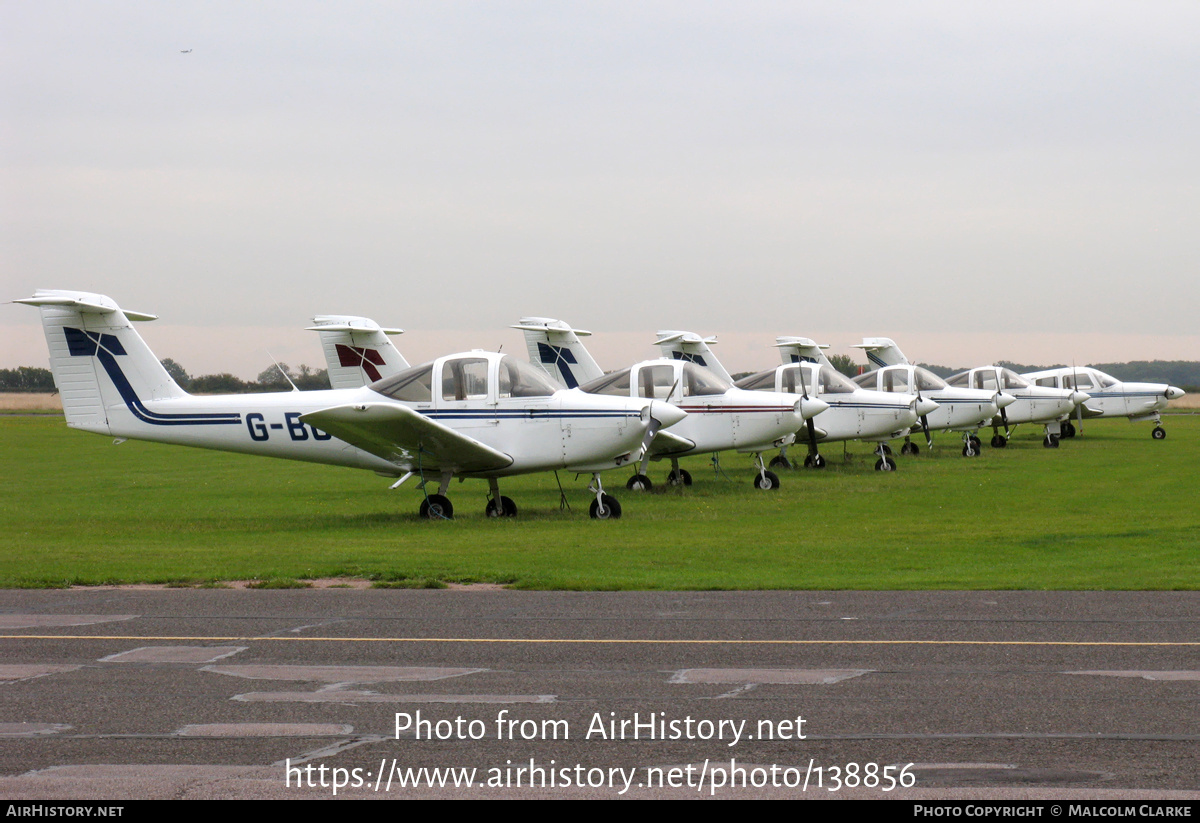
476, 414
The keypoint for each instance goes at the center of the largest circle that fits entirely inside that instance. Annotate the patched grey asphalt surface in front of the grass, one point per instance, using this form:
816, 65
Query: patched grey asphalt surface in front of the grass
113, 694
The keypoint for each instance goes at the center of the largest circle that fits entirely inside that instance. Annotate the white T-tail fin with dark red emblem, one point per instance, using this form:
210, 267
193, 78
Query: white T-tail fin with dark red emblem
357, 351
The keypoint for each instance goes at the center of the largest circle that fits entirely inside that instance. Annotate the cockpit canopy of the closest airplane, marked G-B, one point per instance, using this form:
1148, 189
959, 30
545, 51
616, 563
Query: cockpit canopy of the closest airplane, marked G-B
467, 377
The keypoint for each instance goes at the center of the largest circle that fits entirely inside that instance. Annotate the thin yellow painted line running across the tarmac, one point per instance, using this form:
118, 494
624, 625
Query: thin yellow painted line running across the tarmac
615, 641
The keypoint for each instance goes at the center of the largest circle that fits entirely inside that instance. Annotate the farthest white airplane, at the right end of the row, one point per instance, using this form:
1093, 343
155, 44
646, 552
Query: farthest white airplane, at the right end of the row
1109, 398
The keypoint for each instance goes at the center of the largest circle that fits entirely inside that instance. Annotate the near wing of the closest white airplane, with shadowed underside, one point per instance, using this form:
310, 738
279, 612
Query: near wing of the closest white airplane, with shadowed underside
407, 438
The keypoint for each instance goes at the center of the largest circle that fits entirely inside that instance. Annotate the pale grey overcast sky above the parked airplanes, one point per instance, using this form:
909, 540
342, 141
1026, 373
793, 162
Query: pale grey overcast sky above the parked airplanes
976, 181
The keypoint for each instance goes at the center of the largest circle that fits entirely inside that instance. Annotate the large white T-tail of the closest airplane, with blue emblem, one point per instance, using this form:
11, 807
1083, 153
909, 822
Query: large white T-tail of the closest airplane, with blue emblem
100, 363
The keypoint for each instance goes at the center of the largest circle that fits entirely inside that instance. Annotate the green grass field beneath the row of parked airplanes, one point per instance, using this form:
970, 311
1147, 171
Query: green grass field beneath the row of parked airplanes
1112, 510
